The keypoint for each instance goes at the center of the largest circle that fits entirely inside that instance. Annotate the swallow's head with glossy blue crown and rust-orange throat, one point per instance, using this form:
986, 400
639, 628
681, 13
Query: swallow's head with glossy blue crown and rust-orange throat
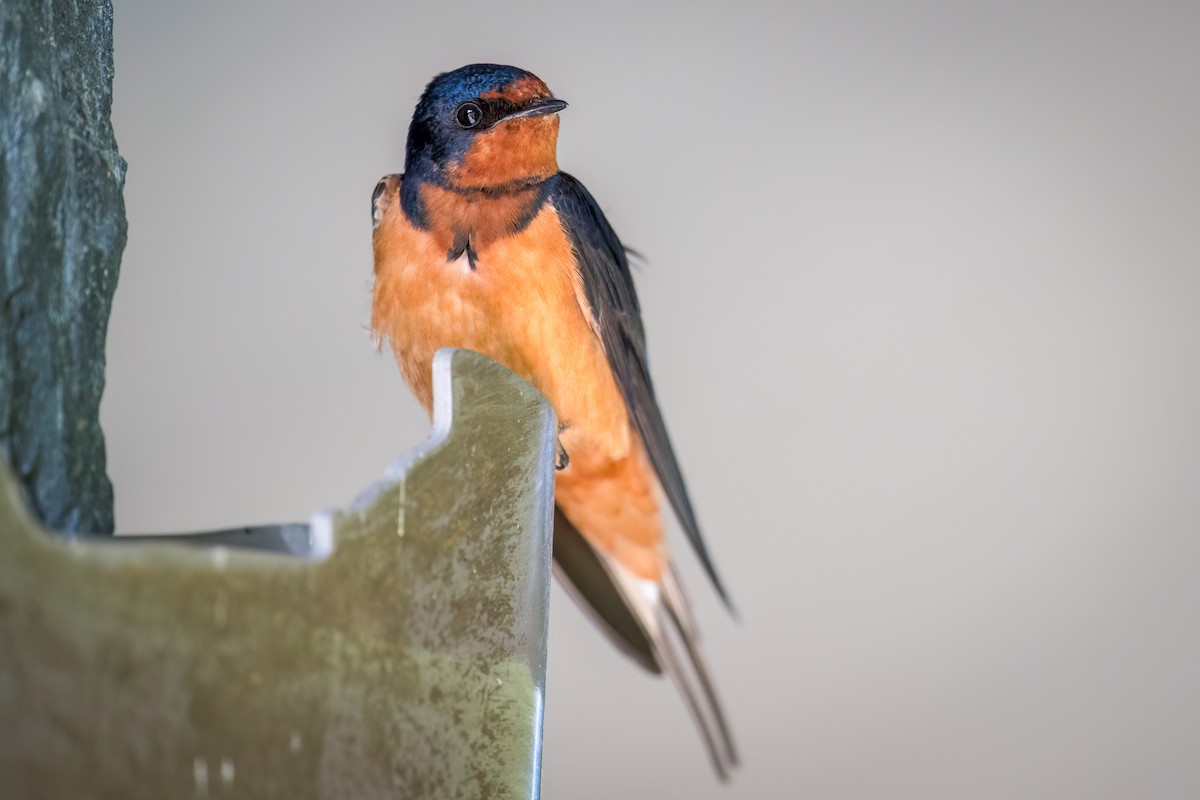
484, 127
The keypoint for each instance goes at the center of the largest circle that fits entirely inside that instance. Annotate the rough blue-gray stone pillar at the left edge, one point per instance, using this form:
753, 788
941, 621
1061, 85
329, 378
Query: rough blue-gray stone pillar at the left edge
62, 234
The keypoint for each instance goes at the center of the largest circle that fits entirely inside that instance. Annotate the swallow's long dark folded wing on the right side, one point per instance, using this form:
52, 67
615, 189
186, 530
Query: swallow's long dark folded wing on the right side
609, 287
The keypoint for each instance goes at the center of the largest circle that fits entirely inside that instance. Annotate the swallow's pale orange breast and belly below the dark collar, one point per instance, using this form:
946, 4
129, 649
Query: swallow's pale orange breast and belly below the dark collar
524, 306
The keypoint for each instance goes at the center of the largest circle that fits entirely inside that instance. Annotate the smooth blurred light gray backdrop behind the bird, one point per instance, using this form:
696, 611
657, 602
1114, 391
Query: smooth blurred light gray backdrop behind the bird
923, 296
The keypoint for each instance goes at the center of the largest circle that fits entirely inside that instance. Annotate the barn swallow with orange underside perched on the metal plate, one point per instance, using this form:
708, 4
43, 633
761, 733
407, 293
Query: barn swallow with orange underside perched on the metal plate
484, 244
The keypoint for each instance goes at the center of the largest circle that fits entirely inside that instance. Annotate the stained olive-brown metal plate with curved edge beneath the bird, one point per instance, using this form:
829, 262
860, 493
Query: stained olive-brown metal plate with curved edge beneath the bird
404, 659
